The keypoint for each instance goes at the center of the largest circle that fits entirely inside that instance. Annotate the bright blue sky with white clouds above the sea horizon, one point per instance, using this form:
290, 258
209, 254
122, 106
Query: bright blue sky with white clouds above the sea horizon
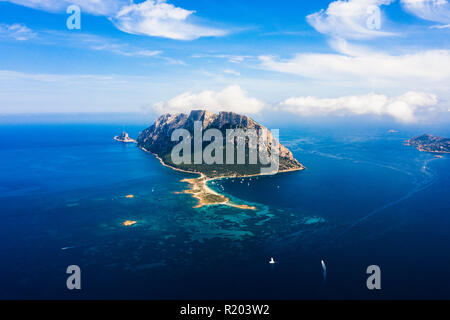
379, 58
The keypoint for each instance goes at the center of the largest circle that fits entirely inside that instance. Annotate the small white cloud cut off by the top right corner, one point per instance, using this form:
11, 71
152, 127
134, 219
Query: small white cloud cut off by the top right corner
432, 10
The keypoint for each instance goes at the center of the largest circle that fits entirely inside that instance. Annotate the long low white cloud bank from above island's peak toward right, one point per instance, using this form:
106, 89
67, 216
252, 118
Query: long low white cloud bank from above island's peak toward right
409, 107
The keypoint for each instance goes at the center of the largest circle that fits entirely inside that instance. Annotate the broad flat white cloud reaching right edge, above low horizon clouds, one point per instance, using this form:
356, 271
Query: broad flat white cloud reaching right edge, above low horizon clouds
430, 66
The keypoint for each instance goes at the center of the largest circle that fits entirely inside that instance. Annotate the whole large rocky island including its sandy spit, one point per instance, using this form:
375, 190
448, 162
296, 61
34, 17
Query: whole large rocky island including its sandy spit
157, 140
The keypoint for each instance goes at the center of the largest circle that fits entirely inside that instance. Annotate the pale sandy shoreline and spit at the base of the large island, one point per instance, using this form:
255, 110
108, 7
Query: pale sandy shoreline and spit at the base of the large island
200, 190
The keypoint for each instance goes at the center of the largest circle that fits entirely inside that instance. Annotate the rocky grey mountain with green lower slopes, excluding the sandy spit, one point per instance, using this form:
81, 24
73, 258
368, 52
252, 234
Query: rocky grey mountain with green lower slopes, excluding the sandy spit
157, 139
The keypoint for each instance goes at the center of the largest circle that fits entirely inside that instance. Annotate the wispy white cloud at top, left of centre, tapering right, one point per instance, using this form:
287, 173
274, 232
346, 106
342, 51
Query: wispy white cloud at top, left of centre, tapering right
160, 19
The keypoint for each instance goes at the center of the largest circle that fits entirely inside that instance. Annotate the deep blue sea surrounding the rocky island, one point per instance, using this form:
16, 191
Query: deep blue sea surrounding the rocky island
364, 199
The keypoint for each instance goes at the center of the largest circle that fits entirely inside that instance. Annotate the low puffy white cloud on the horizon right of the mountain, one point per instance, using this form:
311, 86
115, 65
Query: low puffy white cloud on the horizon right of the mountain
405, 108
